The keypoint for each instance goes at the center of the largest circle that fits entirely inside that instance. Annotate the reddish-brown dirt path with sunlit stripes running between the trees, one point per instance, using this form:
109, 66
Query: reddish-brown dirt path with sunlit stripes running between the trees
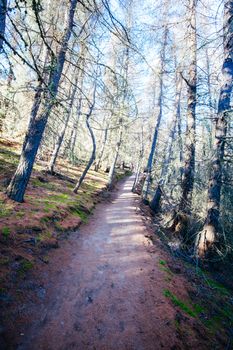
104, 289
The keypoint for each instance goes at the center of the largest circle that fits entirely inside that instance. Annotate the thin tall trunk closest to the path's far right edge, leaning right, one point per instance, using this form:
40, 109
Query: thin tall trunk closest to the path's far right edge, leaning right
148, 179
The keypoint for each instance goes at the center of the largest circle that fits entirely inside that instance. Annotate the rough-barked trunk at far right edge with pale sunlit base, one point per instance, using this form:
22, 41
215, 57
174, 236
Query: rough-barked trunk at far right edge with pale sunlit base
212, 230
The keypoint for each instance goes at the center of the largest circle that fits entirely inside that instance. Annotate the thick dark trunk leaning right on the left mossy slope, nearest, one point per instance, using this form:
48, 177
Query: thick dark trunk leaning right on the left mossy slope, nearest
38, 121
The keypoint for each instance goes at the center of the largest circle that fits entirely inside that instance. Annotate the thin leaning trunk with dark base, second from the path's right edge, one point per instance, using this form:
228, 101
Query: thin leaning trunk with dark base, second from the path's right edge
155, 203
